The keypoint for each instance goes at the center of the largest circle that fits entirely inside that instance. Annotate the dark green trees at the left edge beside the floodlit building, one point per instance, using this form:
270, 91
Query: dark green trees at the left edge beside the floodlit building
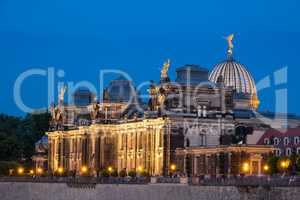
18, 136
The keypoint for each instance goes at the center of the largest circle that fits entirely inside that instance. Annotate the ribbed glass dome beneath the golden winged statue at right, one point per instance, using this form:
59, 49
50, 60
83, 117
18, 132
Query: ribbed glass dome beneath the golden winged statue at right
234, 75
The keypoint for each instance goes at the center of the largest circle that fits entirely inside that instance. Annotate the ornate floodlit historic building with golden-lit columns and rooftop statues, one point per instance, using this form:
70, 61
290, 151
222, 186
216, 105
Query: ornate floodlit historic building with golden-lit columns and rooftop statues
194, 116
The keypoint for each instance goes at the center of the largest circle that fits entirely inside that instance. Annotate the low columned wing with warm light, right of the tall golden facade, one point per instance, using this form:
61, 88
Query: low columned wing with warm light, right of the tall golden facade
223, 160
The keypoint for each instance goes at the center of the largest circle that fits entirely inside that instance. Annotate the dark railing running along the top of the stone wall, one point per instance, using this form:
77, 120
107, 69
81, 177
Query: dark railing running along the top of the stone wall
232, 181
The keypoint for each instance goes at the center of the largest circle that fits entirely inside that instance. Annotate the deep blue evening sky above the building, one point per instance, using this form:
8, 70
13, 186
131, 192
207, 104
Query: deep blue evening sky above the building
82, 37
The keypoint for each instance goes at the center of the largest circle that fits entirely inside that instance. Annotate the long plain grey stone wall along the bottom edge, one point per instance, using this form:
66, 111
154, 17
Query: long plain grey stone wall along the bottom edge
60, 191
